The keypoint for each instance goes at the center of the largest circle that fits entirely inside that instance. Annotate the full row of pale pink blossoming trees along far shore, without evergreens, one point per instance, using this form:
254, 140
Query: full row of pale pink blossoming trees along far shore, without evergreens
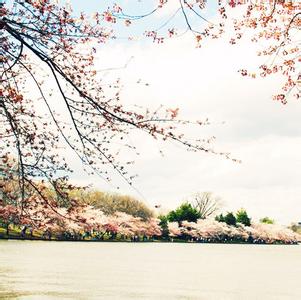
89, 223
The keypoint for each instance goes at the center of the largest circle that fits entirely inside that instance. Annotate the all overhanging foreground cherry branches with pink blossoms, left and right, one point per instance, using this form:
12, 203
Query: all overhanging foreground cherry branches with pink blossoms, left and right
48, 54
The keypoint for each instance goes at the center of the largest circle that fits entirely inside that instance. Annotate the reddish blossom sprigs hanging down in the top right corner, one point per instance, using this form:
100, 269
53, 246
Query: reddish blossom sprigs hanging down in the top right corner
275, 24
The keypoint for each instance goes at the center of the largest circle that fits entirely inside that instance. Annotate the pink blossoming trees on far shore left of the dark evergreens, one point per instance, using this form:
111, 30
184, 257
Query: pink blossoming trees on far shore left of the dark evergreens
85, 219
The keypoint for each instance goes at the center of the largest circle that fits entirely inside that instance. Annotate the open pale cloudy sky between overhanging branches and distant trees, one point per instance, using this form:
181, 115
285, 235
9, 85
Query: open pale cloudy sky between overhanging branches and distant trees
245, 120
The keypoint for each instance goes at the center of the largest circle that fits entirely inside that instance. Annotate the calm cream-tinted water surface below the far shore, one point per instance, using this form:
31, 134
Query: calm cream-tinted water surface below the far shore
73, 270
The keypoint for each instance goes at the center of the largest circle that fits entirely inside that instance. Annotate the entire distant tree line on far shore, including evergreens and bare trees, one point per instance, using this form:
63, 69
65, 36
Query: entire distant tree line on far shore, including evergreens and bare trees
106, 216
